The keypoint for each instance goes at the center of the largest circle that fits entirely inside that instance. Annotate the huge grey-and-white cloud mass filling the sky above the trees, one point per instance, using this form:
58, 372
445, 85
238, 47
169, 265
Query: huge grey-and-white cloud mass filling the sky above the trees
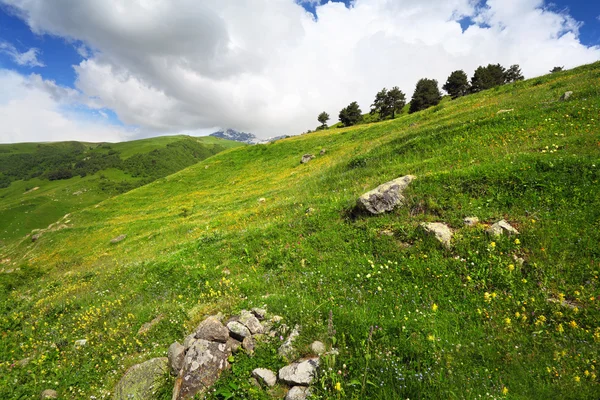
269, 67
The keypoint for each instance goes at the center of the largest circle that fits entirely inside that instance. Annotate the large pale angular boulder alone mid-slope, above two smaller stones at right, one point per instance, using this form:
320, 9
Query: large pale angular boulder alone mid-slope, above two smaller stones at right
385, 197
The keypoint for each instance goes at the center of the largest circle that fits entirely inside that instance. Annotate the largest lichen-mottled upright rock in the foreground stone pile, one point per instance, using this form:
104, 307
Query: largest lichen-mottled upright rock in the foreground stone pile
202, 366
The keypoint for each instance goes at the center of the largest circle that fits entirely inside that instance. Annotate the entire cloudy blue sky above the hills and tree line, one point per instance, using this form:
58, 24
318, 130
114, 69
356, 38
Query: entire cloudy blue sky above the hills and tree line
114, 70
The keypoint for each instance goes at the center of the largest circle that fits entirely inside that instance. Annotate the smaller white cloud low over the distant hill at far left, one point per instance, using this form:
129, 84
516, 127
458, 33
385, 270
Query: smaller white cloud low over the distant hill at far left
33, 110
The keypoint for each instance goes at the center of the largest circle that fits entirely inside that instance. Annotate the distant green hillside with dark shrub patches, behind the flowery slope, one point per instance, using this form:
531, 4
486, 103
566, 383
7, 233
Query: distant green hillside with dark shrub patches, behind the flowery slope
41, 182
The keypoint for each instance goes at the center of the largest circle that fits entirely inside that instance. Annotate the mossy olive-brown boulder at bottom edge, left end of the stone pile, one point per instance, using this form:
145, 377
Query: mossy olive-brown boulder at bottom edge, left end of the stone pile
141, 380
